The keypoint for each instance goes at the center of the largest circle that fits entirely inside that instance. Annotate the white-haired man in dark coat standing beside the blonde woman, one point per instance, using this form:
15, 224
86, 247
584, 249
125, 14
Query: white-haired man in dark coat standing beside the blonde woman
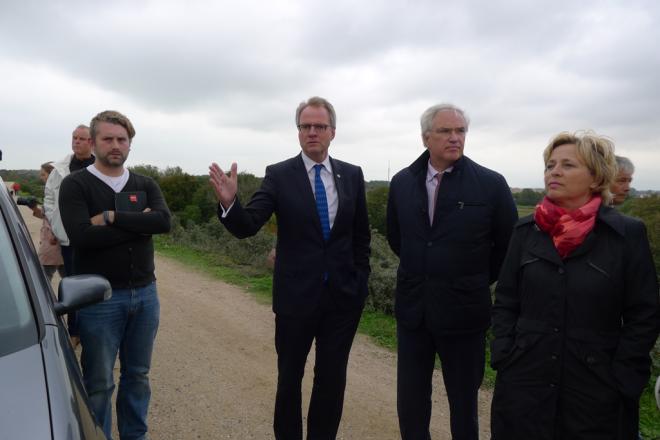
449, 220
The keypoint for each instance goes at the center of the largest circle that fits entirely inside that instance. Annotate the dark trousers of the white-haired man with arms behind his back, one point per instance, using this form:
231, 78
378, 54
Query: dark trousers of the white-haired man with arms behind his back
462, 357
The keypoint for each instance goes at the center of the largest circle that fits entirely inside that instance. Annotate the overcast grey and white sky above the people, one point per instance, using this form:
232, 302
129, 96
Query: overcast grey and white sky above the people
207, 81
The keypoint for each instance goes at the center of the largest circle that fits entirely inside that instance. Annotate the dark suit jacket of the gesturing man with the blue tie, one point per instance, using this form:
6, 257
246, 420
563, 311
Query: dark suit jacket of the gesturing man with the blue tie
303, 257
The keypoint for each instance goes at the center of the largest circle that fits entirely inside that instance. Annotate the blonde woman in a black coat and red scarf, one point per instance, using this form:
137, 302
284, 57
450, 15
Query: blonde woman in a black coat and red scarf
576, 307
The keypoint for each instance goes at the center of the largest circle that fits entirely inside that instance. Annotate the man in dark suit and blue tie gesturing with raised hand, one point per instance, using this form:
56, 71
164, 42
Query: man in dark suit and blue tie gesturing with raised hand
321, 267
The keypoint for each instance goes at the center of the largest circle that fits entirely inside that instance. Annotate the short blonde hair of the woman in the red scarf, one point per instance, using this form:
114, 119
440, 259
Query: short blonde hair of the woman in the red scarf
596, 152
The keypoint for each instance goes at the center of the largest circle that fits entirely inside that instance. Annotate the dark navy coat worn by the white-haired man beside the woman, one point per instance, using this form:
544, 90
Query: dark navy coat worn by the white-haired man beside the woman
445, 269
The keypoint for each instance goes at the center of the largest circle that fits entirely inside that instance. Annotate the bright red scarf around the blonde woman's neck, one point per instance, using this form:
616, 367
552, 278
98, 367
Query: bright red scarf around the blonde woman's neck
567, 229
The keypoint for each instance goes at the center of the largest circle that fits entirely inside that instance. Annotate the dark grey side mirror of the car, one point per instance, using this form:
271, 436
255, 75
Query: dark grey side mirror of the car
79, 291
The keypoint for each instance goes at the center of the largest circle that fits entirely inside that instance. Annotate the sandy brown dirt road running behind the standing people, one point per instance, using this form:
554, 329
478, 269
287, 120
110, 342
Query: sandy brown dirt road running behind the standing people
214, 368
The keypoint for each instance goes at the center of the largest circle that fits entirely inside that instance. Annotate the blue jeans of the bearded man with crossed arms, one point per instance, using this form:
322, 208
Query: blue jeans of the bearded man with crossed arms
127, 323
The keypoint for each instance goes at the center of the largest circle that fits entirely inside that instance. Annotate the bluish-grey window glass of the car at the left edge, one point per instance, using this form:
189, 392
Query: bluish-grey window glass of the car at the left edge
17, 326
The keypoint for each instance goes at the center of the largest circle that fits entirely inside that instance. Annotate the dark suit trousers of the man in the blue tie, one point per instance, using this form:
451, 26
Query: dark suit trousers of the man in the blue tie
333, 330
